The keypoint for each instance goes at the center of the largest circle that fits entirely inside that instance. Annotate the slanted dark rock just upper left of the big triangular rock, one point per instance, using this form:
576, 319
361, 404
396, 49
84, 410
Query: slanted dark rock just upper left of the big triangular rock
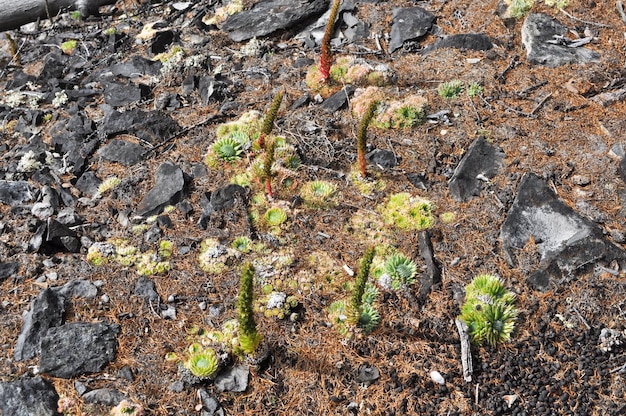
481, 162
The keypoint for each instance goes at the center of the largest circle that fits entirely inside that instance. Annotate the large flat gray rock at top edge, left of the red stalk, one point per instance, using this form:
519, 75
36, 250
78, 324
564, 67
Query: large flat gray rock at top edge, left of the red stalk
268, 16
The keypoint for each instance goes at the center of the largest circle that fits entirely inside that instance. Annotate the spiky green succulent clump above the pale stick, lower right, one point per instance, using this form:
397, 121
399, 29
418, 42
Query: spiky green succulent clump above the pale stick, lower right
489, 310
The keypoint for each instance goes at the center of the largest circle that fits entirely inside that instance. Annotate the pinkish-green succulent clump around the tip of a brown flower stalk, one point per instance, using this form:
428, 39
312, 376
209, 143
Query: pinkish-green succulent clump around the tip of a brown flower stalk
406, 112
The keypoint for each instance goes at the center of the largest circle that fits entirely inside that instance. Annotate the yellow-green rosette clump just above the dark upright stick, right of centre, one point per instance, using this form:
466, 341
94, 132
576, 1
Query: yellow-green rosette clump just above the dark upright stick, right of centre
407, 212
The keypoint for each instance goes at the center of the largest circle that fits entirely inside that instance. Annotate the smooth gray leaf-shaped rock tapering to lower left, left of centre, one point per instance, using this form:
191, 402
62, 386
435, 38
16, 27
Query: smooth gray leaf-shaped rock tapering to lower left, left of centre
168, 186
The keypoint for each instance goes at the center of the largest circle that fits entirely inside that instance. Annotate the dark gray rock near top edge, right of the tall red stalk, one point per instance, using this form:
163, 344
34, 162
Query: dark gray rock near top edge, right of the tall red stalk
409, 23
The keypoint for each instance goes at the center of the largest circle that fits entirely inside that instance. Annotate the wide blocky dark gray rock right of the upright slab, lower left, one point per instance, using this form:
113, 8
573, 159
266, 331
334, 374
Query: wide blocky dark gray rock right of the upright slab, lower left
78, 348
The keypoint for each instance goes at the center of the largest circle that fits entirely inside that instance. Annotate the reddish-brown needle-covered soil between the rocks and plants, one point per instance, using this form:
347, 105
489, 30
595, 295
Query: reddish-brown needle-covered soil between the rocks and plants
312, 369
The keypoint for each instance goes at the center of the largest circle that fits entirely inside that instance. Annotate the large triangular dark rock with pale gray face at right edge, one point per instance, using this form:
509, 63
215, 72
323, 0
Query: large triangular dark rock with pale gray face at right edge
566, 241
